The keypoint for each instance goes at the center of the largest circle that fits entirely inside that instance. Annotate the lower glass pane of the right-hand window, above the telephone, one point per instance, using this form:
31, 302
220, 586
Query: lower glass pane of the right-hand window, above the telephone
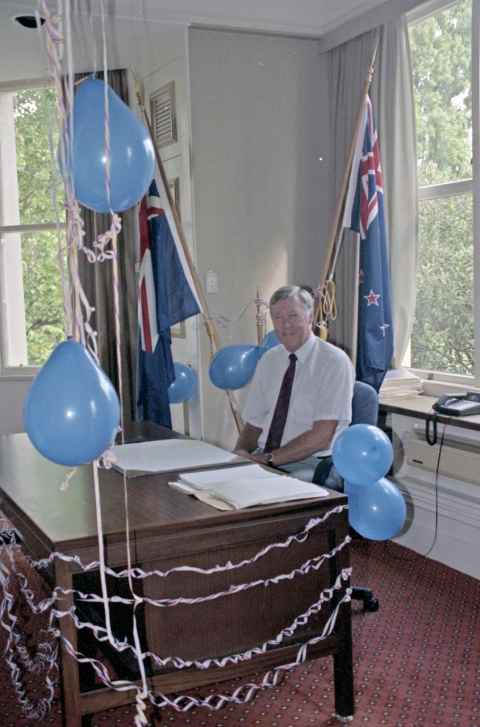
442, 337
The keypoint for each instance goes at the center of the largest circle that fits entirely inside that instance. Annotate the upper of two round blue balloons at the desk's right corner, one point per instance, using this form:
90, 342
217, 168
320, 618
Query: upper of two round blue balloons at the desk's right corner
362, 454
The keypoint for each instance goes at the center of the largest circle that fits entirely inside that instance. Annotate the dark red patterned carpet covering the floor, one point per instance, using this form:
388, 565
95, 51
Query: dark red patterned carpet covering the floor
417, 660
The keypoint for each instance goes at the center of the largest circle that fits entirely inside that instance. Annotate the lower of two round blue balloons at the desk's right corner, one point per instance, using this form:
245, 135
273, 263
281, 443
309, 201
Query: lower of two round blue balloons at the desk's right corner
378, 511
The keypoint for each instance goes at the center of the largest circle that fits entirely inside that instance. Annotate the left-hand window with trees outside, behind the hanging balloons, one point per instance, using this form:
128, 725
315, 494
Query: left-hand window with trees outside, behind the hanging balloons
30, 226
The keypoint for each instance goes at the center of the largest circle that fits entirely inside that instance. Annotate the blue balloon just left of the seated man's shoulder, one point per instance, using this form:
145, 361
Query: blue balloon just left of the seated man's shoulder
233, 366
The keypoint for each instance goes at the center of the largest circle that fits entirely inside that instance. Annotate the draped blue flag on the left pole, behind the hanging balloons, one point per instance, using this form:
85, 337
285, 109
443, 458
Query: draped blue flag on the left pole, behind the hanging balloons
166, 296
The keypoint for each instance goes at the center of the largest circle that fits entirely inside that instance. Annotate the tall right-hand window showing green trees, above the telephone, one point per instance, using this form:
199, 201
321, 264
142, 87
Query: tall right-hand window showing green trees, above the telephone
441, 47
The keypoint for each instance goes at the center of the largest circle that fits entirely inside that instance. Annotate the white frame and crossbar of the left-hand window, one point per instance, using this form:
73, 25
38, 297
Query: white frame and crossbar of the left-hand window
18, 373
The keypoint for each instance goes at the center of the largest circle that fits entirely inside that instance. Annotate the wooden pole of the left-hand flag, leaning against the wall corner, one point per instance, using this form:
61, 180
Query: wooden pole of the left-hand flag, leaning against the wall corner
209, 326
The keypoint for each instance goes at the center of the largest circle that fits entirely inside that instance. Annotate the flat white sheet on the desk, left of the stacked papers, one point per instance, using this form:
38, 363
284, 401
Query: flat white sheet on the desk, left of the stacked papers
166, 455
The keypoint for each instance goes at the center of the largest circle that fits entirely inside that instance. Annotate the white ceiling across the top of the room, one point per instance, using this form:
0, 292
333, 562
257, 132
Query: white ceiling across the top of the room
22, 55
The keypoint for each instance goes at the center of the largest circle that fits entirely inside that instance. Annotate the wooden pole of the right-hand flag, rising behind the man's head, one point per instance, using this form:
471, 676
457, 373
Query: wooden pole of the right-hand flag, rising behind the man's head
336, 234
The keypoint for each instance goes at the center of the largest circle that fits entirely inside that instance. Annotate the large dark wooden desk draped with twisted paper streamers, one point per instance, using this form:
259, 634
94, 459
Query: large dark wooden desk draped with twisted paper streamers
169, 529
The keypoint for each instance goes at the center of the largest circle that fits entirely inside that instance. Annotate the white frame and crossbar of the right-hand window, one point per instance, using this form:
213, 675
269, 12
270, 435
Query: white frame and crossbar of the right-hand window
455, 188
